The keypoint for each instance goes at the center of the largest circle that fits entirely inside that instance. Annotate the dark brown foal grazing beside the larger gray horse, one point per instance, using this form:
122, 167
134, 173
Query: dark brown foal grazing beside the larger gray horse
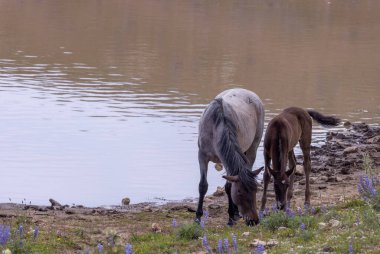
284, 131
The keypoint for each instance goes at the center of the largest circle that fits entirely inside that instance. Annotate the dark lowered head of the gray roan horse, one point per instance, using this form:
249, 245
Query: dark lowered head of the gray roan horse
245, 197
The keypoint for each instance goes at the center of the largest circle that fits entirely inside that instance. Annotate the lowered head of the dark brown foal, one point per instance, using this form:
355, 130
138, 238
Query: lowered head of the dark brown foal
281, 184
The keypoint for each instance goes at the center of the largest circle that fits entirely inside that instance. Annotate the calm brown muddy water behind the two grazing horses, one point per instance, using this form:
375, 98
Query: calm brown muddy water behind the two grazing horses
101, 99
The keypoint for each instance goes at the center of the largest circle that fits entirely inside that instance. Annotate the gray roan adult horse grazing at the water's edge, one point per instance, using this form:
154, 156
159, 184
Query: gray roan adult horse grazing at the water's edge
230, 131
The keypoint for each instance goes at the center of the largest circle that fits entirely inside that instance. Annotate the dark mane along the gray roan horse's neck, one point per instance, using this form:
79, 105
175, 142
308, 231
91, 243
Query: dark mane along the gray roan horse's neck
233, 157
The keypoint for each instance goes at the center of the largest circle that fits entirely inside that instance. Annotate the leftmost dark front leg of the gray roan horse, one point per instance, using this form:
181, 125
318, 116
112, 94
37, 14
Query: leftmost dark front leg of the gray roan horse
203, 185
